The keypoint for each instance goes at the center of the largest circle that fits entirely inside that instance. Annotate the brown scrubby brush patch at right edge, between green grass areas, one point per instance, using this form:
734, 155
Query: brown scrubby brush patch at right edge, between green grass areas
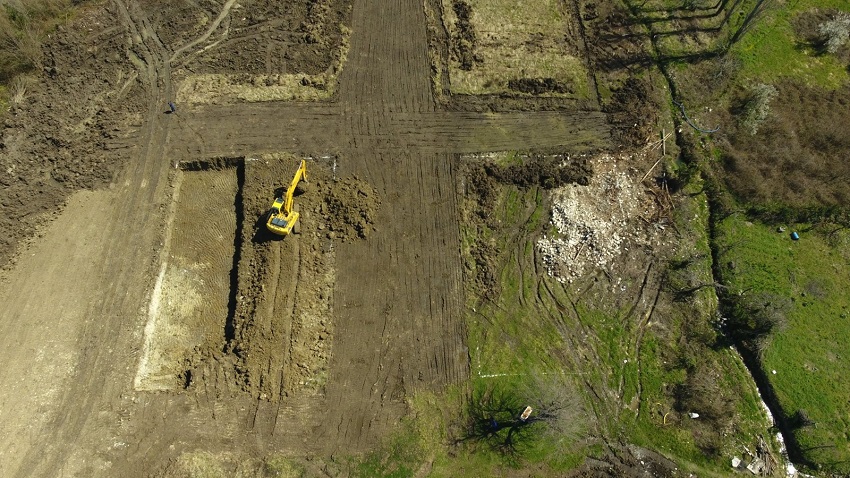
794, 156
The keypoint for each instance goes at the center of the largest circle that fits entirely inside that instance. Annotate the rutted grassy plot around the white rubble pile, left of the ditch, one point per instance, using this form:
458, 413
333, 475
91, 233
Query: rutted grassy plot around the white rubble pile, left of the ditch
637, 342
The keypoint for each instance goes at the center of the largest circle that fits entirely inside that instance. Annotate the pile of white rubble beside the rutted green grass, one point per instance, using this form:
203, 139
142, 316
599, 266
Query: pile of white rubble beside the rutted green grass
596, 222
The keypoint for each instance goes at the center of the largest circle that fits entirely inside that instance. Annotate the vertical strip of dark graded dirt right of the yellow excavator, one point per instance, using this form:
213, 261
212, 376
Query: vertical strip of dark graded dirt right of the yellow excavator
404, 330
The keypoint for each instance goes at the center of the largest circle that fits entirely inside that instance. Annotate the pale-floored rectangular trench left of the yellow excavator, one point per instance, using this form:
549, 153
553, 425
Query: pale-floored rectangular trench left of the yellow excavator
193, 303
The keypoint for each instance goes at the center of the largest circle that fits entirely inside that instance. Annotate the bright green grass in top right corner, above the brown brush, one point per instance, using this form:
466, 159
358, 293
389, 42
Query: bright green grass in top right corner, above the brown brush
772, 50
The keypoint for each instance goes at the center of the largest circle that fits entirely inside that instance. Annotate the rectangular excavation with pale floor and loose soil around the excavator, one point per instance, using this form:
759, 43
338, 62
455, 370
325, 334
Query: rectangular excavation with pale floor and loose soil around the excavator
235, 303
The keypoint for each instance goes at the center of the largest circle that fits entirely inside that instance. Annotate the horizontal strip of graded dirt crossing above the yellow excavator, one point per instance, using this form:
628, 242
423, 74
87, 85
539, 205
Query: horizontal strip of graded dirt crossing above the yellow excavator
220, 130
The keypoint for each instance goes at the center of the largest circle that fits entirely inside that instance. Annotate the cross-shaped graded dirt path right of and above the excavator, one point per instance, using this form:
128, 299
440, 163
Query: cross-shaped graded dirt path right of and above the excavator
404, 283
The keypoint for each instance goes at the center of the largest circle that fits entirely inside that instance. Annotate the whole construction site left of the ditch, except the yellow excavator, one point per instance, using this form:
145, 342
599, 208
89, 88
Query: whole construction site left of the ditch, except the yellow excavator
486, 197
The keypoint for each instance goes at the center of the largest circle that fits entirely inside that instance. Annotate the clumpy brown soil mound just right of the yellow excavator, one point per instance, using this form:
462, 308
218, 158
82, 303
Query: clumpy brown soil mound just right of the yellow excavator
349, 207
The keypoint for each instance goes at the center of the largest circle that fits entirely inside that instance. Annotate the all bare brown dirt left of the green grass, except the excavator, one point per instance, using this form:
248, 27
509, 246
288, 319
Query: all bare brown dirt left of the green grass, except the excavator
151, 317
